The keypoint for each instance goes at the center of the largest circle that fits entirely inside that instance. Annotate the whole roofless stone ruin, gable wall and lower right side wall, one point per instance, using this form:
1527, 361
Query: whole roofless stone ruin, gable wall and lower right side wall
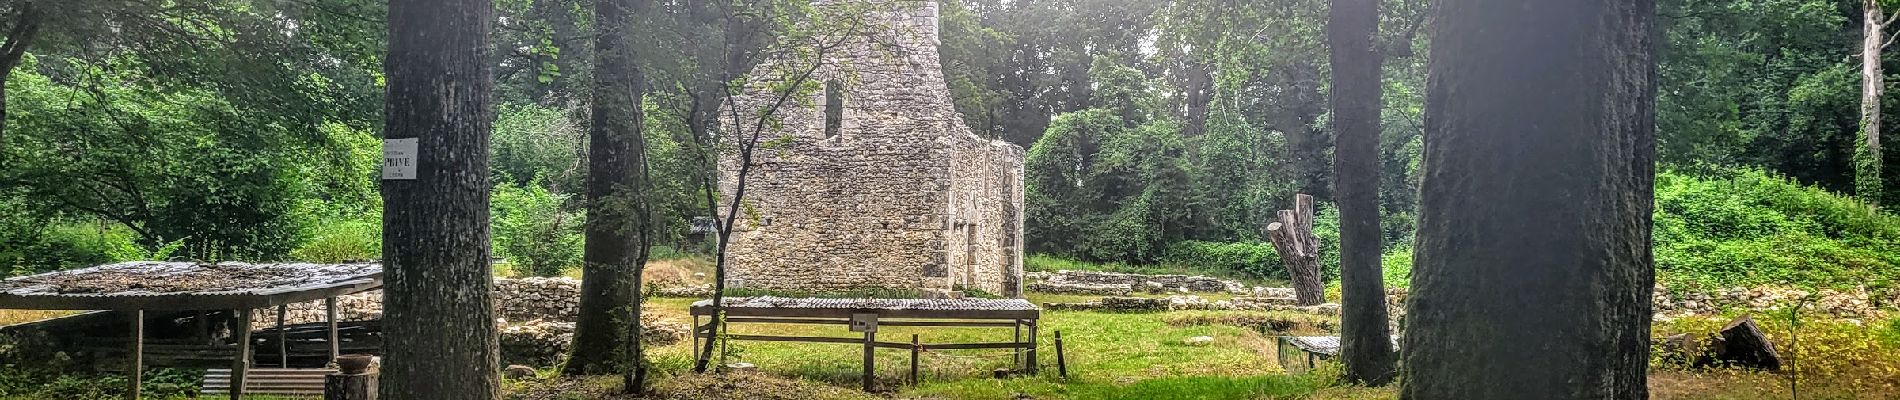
873, 183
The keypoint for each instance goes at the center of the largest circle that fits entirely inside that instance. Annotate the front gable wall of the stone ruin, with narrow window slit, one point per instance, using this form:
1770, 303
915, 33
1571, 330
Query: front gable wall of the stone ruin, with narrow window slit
867, 208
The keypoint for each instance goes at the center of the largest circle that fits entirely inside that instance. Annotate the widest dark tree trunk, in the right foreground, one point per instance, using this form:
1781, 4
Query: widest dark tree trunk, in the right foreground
1534, 272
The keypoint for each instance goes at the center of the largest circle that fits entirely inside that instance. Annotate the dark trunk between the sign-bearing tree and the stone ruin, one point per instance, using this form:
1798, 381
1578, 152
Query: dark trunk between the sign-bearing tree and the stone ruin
615, 170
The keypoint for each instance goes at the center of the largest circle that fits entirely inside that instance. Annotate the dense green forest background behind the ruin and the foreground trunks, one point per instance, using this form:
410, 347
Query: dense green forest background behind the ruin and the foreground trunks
1158, 132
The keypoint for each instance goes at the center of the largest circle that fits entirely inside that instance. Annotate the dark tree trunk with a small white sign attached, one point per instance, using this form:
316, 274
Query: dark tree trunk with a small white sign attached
440, 316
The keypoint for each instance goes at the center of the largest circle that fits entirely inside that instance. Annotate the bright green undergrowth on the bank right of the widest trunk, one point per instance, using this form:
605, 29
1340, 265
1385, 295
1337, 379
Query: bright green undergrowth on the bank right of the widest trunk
1755, 228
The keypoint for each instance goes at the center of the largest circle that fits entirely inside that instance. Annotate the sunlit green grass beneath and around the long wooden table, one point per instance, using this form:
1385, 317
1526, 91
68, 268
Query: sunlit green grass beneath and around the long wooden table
1111, 355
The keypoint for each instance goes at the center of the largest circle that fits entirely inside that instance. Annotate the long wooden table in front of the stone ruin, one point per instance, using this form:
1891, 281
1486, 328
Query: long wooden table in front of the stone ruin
865, 316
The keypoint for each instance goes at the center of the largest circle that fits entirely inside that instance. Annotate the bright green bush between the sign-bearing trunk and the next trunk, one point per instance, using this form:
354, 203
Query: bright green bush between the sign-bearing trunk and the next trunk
533, 230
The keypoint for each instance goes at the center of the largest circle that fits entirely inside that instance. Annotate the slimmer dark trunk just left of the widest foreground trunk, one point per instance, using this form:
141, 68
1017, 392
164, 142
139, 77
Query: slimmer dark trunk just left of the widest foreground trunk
1365, 336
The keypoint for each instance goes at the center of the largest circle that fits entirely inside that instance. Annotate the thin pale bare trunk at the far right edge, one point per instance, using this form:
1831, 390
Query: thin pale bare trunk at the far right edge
1872, 84
